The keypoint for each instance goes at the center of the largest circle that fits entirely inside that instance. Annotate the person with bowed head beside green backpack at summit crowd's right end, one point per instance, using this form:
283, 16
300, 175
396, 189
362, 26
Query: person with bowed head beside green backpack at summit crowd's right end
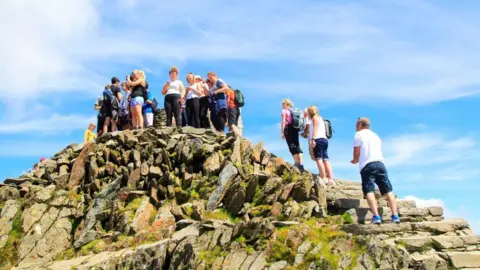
218, 101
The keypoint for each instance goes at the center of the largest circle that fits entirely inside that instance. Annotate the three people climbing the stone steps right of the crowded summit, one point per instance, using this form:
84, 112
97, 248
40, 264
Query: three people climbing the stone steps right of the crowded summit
367, 152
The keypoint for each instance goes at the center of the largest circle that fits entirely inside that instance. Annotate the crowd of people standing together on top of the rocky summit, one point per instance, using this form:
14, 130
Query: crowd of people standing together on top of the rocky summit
200, 104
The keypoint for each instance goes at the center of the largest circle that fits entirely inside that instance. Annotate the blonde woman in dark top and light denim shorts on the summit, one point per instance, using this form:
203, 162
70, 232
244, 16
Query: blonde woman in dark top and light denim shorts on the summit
139, 86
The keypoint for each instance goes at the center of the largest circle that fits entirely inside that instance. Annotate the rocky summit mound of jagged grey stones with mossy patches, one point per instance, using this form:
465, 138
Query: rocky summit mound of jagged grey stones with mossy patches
192, 199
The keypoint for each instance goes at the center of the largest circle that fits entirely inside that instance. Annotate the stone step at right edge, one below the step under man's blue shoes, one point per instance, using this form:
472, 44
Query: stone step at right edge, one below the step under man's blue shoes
439, 243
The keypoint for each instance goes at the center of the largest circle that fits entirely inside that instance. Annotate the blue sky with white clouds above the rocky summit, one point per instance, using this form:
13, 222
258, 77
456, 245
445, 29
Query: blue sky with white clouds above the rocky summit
411, 66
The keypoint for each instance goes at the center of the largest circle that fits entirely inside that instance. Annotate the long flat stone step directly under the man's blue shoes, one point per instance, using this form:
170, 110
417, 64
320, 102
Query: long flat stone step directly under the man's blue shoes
432, 227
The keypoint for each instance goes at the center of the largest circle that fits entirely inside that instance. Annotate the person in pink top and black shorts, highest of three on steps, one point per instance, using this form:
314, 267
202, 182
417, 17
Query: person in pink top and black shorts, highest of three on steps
290, 133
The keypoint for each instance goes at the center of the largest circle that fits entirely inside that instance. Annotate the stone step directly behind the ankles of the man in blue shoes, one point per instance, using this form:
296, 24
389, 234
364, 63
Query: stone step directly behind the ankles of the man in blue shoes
364, 215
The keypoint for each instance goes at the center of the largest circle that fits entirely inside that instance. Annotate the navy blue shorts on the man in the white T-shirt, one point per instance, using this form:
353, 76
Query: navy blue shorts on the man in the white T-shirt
375, 173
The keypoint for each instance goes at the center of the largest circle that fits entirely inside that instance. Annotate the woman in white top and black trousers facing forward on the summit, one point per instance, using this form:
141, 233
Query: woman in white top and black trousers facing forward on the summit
174, 93
